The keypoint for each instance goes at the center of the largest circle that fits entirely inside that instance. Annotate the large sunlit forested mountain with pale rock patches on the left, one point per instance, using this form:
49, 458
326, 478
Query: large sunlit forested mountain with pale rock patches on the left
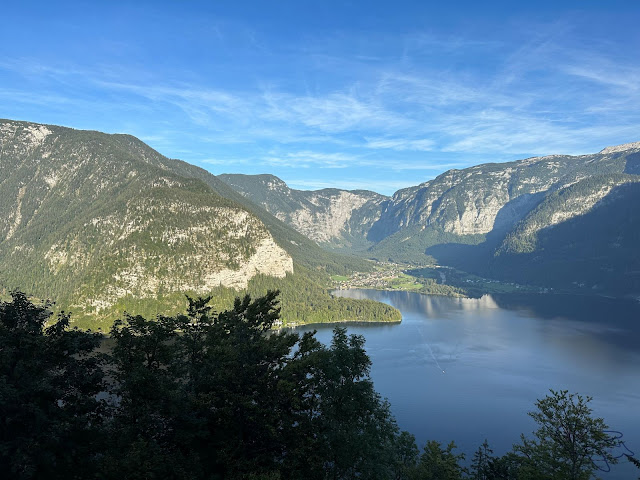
103, 223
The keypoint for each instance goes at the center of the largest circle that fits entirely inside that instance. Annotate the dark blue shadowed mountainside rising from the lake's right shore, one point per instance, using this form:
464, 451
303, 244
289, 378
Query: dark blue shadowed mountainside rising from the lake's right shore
596, 251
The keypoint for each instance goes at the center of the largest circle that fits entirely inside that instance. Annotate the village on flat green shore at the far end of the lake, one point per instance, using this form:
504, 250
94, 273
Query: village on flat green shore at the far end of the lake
432, 279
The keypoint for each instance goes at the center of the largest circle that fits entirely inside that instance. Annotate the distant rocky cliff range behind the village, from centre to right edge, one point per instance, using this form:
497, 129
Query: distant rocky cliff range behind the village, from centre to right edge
477, 205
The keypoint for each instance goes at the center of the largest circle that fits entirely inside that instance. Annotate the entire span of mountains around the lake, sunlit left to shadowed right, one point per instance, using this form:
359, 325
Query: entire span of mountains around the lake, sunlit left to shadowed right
103, 224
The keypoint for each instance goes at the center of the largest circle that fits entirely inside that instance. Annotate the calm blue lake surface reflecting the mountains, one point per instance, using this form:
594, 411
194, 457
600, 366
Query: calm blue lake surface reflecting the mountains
500, 354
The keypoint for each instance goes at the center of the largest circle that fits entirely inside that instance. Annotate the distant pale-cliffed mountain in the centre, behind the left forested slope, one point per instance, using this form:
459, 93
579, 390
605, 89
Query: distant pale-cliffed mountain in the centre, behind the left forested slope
337, 219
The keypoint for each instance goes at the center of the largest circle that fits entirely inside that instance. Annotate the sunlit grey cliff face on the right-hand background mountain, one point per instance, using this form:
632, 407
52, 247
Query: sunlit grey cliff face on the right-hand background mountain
480, 199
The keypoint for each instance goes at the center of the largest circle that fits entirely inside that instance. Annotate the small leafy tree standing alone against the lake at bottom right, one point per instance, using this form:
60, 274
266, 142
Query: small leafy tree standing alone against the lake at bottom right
567, 441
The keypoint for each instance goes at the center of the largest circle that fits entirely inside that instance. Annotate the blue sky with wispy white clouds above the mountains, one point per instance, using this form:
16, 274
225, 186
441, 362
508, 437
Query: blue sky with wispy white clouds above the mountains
351, 94
